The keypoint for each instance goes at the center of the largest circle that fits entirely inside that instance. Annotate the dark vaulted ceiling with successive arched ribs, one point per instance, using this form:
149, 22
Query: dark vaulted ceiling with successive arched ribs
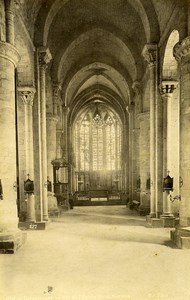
96, 45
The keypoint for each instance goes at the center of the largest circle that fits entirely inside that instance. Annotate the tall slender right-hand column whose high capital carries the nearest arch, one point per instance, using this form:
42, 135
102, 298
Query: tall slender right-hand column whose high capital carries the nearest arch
150, 55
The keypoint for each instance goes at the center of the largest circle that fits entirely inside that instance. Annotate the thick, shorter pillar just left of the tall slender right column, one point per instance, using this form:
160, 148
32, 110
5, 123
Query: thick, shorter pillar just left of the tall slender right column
144, 158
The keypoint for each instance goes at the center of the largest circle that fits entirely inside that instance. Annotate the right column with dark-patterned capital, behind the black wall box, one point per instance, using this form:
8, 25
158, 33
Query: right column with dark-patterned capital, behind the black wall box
167, 89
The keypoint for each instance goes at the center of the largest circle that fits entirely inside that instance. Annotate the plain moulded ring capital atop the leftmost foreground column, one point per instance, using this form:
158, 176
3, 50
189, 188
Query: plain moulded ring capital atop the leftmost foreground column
9, 52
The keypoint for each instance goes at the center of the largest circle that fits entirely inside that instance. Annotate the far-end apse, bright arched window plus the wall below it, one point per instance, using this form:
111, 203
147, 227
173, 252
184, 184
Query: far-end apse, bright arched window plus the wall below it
97, 148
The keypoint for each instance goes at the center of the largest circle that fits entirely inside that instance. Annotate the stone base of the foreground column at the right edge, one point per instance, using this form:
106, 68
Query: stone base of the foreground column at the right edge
181, 237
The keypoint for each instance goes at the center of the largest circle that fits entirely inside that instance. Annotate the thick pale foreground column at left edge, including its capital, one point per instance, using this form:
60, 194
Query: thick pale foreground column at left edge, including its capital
9, 58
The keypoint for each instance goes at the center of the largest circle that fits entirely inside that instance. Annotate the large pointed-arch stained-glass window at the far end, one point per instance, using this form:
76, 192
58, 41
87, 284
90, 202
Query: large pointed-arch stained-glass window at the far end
97, 137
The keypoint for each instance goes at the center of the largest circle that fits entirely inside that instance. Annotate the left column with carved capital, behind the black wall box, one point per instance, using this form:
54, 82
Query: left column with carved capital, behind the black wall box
26, 94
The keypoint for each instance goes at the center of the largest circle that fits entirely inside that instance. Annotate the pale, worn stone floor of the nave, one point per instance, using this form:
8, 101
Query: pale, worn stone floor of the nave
96, 253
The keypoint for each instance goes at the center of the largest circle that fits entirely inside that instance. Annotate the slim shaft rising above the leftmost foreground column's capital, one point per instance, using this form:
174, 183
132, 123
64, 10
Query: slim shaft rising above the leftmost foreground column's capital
9, 19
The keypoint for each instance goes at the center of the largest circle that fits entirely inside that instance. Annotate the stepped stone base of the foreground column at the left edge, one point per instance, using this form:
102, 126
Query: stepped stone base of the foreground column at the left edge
11, 241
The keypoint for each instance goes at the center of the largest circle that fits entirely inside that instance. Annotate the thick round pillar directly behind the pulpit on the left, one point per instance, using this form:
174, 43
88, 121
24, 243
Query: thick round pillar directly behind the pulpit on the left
51, 143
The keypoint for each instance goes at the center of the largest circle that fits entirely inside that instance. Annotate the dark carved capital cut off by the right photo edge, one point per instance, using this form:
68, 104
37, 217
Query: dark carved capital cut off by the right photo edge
182, 49
